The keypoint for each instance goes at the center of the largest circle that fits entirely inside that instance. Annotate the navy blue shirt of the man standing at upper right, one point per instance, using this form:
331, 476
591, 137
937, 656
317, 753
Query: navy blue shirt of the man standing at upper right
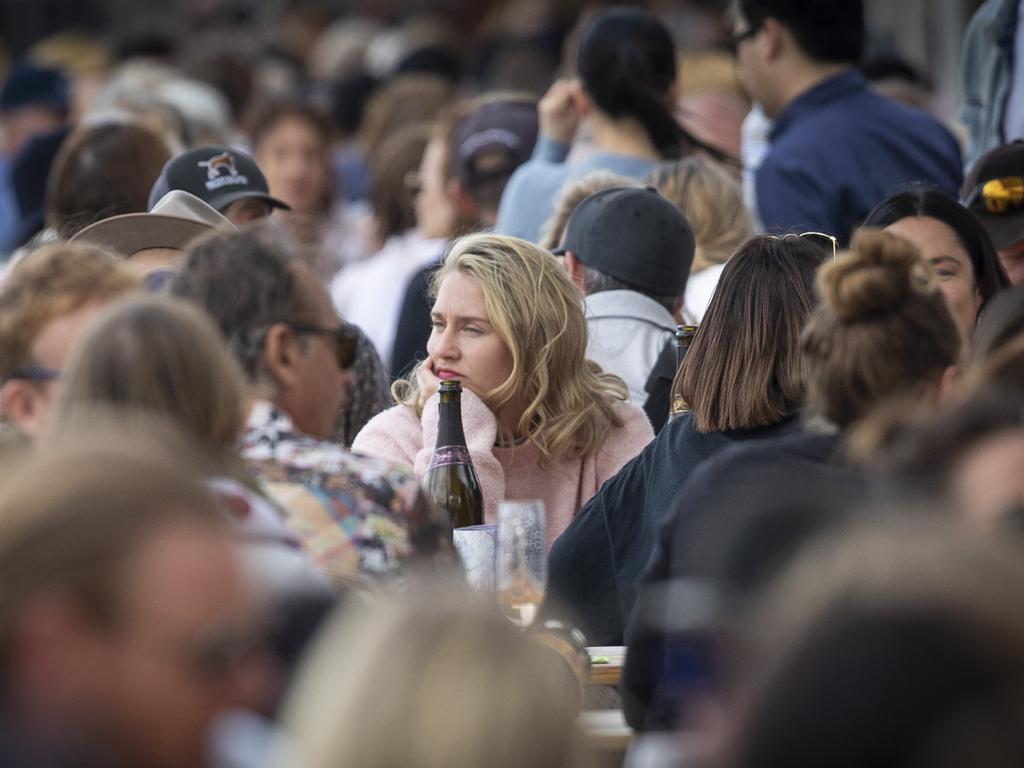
839, 150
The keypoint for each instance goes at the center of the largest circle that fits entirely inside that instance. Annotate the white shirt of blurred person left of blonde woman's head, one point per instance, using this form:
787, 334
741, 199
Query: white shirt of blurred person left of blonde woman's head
369, 293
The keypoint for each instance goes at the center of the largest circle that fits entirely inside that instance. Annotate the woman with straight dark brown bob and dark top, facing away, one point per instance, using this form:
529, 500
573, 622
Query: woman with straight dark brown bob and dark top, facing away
744, 378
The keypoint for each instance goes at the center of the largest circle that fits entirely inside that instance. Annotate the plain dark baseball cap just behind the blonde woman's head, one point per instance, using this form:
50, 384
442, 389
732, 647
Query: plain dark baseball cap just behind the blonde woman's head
633, 235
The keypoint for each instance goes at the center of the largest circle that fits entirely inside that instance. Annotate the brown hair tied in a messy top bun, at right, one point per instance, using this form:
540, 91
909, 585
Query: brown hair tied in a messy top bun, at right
883, 330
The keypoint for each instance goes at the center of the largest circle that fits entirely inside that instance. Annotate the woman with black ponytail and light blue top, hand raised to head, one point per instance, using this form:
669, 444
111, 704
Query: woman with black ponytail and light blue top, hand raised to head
626, 63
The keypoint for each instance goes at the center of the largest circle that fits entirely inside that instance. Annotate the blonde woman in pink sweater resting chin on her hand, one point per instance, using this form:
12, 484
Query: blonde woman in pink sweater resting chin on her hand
541, 421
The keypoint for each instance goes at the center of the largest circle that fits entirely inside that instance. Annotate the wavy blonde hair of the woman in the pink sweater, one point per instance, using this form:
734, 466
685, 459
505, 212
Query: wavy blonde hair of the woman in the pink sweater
538, 314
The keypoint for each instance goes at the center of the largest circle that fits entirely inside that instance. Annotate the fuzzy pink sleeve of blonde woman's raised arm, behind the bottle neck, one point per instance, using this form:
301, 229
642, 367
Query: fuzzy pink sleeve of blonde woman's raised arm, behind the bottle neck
481, 429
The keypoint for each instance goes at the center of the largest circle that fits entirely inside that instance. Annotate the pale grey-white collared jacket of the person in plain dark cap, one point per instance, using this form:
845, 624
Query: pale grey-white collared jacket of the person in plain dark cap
627, 332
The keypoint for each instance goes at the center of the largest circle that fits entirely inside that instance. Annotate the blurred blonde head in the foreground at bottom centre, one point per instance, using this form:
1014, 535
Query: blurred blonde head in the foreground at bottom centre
436, 680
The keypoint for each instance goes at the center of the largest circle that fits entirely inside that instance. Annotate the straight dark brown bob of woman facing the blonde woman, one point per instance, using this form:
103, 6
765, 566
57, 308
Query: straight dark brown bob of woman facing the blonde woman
745, 369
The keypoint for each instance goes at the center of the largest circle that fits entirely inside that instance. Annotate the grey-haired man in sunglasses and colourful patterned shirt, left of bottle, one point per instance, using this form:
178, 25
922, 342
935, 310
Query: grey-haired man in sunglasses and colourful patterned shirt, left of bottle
360, 519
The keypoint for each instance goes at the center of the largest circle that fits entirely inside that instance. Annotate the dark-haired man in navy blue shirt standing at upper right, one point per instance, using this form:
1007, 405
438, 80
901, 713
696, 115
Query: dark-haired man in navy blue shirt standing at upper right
836, 148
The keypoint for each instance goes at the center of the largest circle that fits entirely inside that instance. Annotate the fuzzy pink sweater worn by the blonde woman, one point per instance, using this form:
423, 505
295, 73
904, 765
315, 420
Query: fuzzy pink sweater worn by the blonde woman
508, 473
